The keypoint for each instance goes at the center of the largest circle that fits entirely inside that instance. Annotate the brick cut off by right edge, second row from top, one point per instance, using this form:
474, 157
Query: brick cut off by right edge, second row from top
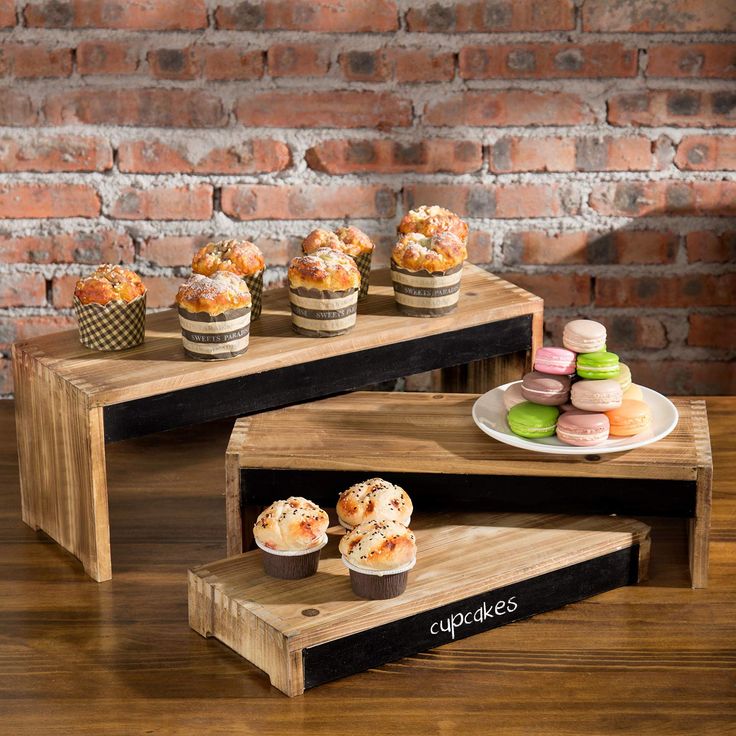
698, 61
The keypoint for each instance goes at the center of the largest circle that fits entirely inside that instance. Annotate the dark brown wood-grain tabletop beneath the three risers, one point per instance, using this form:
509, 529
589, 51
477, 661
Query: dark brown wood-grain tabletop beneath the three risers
119, 658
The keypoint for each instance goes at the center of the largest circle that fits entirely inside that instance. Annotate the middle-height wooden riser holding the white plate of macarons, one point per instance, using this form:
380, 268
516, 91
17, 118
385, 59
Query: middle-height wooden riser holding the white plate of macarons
429, 444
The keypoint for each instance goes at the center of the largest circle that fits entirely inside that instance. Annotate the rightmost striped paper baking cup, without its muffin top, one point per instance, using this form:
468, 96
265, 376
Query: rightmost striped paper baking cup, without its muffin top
424, 293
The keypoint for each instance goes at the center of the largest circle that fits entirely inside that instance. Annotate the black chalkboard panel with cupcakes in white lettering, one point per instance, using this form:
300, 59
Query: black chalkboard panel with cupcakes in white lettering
429, 629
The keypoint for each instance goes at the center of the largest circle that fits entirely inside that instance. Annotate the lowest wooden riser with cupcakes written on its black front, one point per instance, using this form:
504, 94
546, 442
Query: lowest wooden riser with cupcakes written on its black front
474, 572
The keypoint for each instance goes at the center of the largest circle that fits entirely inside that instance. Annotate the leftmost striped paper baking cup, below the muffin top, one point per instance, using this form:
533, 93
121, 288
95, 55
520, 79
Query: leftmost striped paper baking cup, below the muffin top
215, 337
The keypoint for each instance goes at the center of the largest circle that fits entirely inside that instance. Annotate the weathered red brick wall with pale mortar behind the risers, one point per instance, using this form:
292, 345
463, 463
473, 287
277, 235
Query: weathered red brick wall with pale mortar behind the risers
589, 143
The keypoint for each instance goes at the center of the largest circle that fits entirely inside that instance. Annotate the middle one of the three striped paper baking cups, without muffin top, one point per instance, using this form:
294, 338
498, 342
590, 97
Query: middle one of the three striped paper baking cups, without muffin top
316, 313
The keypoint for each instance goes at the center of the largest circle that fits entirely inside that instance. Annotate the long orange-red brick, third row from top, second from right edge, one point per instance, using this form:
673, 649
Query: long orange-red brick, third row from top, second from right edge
508, 107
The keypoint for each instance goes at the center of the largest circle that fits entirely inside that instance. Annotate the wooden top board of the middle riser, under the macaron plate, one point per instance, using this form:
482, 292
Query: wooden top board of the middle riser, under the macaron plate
407, 432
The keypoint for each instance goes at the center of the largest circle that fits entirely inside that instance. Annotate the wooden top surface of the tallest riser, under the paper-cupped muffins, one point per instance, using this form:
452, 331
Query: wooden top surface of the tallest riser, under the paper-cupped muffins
159, 364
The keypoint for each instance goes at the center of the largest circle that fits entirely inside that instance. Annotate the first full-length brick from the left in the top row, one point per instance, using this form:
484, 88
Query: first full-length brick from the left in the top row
133, 15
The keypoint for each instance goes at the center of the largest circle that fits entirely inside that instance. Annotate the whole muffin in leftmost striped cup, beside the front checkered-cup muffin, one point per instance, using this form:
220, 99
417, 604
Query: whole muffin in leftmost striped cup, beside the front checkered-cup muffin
214, 314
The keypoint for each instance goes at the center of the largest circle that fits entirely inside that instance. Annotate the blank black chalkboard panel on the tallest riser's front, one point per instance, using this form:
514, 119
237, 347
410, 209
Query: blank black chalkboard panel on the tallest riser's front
307, 381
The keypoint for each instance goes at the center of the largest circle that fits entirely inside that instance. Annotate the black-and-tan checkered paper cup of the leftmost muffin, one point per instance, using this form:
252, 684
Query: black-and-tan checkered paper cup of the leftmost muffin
113, 326
